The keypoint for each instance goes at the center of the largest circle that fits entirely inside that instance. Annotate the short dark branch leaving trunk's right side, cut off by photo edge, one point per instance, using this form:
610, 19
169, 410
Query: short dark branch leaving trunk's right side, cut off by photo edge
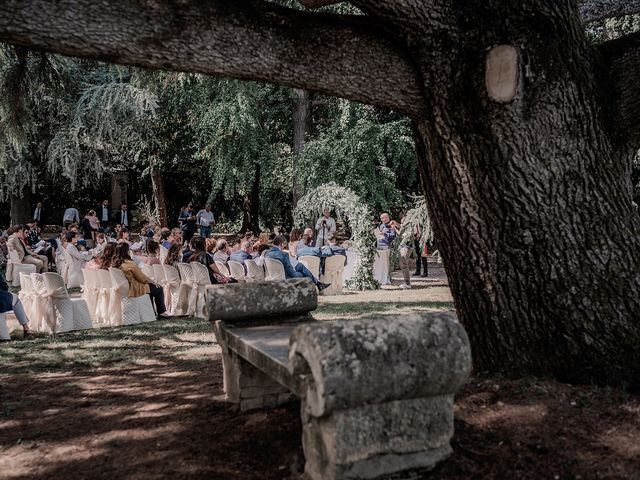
623, 63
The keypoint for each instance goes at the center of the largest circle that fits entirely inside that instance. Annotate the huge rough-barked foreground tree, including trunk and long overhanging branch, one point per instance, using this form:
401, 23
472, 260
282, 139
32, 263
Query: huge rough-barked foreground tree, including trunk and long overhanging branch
525, 149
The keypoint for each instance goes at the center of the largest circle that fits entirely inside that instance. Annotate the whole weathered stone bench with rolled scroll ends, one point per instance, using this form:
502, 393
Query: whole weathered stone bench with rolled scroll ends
376, 394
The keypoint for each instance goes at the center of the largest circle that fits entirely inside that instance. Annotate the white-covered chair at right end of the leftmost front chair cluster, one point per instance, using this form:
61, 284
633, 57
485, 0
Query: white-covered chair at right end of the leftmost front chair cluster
64, 312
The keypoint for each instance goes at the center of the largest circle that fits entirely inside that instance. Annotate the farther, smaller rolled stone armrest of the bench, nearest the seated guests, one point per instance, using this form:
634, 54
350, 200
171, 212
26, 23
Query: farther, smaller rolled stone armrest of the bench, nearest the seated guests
259, 301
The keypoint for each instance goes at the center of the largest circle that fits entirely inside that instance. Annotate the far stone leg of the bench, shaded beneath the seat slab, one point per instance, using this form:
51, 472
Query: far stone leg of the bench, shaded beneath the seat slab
248, 387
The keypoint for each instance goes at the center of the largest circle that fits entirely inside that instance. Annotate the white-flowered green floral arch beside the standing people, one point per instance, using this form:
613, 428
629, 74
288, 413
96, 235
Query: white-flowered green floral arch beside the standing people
350, 208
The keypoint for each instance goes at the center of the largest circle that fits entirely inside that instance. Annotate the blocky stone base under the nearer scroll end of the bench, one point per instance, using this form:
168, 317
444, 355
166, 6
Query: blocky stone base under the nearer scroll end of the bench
373, 440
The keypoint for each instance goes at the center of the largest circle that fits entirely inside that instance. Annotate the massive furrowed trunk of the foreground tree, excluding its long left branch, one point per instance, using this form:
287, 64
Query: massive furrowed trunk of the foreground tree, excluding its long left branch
530, 200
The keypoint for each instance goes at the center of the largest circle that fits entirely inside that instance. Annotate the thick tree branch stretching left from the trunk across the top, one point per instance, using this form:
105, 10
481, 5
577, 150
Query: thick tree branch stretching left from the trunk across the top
346, 56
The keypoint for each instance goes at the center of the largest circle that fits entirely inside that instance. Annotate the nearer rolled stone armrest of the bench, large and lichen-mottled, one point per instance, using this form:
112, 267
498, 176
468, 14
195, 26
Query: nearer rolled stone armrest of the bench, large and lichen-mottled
362, 362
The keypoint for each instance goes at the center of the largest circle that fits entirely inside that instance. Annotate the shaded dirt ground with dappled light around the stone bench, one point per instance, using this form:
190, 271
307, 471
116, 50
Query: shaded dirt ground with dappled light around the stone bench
146, 402
